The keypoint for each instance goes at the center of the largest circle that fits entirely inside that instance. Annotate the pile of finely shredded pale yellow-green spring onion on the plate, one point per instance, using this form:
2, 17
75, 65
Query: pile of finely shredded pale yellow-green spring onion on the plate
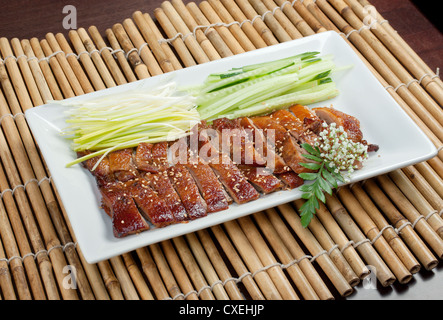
124, 120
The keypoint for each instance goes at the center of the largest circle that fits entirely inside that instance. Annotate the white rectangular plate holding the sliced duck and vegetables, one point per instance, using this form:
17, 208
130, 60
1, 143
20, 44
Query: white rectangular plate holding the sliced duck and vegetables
383, 122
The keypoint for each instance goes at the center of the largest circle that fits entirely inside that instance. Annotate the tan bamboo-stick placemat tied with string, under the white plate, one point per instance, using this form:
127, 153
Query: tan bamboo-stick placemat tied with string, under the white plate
392, 222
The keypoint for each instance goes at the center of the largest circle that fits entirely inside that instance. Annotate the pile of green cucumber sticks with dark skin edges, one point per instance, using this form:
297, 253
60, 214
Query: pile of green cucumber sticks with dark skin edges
264, 87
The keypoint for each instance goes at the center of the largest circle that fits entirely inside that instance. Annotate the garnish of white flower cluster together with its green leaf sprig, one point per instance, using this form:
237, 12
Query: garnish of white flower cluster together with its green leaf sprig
332, 153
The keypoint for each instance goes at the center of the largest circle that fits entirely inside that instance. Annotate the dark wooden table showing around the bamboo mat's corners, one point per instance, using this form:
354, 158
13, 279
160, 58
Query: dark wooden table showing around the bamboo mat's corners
415, 21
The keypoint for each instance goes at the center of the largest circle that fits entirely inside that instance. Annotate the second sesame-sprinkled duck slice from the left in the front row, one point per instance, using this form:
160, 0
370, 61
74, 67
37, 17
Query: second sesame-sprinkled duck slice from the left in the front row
152, 207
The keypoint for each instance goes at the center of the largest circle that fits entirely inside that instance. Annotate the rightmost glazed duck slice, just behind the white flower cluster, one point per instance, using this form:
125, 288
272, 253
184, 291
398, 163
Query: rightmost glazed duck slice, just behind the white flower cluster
350, 124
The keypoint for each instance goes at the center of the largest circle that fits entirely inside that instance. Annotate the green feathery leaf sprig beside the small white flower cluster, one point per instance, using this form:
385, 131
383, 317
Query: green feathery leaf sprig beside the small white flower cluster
324, 179
